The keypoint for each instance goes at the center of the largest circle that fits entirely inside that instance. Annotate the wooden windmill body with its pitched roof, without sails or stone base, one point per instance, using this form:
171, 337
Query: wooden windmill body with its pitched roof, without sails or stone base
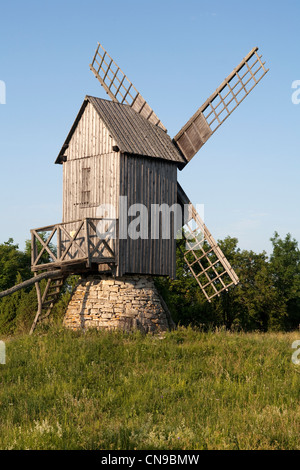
111, 153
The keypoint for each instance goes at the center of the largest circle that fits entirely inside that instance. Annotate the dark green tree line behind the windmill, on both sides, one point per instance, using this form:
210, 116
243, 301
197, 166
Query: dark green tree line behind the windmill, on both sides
266, 298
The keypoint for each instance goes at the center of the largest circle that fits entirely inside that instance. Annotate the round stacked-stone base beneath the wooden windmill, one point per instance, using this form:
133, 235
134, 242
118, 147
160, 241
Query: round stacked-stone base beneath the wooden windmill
130, 302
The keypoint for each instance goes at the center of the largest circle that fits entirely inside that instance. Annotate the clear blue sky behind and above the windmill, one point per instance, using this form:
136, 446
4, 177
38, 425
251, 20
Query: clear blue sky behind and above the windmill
176, 53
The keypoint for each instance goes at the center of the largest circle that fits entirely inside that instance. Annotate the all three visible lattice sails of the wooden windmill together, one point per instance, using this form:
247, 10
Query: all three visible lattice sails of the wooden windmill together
189, 140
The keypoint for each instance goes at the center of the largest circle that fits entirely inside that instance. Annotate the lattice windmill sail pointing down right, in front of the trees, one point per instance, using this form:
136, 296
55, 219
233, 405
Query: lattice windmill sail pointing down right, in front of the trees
203, 256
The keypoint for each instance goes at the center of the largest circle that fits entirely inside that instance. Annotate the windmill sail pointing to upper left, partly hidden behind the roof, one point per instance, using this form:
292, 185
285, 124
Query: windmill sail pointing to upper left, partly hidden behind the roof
119, 87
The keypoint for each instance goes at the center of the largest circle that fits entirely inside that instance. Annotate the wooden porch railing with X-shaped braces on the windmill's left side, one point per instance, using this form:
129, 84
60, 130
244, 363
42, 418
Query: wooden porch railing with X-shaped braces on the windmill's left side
74, 242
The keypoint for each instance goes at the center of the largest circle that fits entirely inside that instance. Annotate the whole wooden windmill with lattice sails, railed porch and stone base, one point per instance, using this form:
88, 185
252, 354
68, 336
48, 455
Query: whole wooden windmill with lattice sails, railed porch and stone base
118, 149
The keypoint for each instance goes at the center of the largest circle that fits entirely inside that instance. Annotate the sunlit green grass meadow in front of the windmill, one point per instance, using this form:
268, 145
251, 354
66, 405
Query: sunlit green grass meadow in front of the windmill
187, 390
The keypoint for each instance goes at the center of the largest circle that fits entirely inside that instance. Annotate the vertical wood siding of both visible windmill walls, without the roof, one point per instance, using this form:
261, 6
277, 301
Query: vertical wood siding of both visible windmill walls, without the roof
94, 174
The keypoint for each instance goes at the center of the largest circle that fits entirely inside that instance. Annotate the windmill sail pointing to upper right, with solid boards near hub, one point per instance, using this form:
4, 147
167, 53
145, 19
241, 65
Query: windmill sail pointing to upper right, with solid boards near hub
220, 104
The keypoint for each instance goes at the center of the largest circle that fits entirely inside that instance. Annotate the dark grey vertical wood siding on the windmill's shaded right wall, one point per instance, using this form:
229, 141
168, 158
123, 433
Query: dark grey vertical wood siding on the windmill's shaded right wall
148, 181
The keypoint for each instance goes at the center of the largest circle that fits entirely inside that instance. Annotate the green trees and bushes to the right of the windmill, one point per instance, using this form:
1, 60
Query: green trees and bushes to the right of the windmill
266, 298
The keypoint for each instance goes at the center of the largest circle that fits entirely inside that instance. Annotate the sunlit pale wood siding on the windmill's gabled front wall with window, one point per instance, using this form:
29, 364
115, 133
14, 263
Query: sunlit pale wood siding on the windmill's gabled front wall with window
91, 172
